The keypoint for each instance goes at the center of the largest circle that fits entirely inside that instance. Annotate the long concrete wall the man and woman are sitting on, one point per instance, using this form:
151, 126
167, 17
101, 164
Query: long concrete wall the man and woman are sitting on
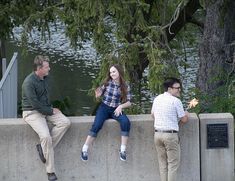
20, 162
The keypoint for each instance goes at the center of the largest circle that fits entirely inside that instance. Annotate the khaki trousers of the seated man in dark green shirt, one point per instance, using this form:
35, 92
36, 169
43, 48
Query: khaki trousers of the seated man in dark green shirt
48, 140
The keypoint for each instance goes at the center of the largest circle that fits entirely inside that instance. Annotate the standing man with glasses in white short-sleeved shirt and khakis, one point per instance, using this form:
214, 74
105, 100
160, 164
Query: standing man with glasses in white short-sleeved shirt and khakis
167, 111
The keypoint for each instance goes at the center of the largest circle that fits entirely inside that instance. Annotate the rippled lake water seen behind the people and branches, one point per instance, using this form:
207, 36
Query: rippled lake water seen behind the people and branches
72, 71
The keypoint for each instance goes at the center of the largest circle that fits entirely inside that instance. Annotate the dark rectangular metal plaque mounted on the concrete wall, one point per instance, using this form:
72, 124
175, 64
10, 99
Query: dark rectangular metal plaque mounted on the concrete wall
217, 136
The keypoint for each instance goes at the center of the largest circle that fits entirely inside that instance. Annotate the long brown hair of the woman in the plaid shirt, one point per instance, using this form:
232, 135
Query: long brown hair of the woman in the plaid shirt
123, 85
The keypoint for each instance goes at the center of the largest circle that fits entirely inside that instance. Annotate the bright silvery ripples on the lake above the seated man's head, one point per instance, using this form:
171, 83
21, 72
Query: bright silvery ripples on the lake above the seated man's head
58, 44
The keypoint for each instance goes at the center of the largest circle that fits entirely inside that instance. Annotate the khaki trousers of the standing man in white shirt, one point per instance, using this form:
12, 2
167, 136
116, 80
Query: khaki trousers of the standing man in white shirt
168, 150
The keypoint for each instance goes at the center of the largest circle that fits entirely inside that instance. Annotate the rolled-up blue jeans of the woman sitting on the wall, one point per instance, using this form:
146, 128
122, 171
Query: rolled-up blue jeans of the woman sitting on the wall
105, 112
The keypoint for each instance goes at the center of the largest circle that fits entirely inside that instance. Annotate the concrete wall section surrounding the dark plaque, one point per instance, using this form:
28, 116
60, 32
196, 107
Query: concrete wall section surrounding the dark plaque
217, 163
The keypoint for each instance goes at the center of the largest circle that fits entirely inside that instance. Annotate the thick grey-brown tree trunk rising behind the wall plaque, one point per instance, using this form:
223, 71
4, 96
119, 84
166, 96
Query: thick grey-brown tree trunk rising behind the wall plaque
216, 51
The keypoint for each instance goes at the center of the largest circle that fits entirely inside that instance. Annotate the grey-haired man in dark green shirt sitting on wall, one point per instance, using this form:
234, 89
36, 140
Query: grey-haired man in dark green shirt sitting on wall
37, 110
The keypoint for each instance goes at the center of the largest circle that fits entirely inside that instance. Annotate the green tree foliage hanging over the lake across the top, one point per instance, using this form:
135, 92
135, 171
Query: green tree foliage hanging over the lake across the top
129, 32
